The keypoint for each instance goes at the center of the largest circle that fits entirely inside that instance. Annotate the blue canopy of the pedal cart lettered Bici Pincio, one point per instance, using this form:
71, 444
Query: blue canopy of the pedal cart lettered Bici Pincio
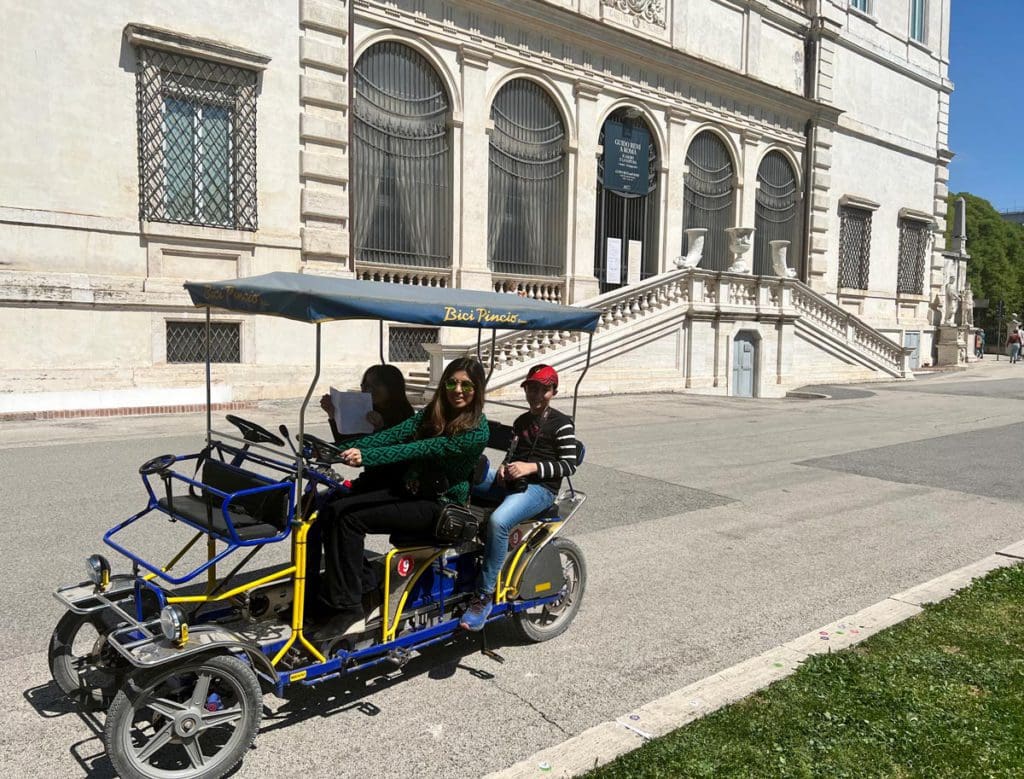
315, 299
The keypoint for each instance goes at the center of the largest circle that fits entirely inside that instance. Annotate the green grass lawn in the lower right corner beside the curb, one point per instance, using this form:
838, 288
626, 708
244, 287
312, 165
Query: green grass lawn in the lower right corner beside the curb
940, 696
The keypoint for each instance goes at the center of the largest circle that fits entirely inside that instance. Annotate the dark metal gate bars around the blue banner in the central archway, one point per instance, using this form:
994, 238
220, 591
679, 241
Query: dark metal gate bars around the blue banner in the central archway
627, 219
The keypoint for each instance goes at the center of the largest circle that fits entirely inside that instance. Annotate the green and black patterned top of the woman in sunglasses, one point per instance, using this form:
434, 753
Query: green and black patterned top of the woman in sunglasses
454, 456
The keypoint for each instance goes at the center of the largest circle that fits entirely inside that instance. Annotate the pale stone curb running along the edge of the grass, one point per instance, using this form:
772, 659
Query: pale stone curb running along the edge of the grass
605, 743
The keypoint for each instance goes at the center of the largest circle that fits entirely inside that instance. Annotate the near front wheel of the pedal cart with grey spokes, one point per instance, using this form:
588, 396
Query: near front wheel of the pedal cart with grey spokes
160, 725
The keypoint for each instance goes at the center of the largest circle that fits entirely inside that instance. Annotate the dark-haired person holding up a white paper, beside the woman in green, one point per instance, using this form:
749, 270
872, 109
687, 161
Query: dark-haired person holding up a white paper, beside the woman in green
380, 404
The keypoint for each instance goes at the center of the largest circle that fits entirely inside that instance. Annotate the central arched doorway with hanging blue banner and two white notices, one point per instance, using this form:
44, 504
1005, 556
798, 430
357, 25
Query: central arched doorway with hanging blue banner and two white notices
627, 201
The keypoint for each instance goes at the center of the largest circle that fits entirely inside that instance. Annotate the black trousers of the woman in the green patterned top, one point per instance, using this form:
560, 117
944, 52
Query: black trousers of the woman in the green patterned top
346, 525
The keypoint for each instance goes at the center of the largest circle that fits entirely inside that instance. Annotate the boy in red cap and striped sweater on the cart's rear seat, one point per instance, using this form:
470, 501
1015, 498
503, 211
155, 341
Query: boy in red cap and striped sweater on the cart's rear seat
543, 453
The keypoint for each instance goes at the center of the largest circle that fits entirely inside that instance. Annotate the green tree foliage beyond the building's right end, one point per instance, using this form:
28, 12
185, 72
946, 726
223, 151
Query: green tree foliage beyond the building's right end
997, 249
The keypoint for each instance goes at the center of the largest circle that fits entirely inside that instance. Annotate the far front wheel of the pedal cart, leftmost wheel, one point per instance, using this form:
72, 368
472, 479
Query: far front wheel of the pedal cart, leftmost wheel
83, 666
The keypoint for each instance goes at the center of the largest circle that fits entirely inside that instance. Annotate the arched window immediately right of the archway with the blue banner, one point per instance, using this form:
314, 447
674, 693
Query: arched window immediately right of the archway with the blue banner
709, 201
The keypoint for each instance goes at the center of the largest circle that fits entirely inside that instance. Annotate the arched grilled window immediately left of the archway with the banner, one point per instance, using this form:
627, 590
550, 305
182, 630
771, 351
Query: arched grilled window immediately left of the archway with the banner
528, 180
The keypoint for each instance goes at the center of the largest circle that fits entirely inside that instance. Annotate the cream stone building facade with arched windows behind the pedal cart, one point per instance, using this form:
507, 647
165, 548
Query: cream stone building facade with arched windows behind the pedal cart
450, 144
